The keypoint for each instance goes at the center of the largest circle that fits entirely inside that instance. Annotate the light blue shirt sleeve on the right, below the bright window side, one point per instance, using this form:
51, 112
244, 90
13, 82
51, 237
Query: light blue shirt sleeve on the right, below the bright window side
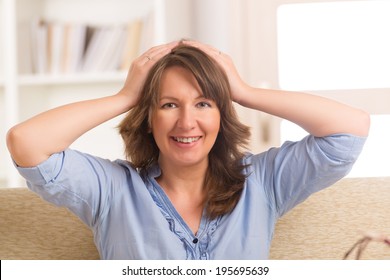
295, 170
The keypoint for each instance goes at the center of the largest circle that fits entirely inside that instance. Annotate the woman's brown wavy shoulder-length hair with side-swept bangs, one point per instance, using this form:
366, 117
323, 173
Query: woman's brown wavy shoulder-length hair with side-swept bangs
225, 176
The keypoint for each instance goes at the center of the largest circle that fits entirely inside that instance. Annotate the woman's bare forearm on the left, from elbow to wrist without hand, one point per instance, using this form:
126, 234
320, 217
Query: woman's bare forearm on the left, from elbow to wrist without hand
34, 140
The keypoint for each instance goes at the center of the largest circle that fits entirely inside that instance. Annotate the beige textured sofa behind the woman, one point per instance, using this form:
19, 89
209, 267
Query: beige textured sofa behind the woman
323, 227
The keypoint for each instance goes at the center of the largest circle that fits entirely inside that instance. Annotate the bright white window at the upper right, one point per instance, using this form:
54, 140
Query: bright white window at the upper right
334, 45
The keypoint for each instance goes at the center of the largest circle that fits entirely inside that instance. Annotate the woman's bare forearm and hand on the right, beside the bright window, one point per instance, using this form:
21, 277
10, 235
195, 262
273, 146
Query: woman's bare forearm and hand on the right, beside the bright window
317, 115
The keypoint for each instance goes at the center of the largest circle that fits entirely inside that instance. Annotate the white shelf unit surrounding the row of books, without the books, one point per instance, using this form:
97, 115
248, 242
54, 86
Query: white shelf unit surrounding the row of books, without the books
23, 93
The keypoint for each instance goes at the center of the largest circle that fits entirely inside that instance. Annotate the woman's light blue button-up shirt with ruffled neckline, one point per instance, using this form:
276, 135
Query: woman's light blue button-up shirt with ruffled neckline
132, 218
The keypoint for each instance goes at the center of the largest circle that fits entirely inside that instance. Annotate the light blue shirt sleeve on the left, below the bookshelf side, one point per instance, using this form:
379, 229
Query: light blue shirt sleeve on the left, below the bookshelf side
77, 181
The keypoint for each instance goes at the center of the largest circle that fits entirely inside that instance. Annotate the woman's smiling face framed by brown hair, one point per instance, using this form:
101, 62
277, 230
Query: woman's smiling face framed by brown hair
184, 124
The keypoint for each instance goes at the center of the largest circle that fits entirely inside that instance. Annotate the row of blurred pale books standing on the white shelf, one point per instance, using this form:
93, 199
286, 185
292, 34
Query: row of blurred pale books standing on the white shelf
65, 48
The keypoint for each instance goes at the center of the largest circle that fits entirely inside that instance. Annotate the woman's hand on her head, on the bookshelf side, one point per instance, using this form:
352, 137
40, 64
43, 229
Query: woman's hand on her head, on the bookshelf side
139, 70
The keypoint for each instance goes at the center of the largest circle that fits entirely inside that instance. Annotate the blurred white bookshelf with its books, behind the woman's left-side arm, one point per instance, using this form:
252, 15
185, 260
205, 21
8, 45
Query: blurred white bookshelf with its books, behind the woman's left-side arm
27, 89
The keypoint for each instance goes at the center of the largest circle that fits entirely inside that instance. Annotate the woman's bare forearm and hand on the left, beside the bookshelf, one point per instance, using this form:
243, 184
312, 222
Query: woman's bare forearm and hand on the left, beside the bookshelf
33, 141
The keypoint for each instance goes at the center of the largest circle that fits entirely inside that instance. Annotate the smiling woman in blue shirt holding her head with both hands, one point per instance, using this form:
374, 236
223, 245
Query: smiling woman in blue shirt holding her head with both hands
188, 191
